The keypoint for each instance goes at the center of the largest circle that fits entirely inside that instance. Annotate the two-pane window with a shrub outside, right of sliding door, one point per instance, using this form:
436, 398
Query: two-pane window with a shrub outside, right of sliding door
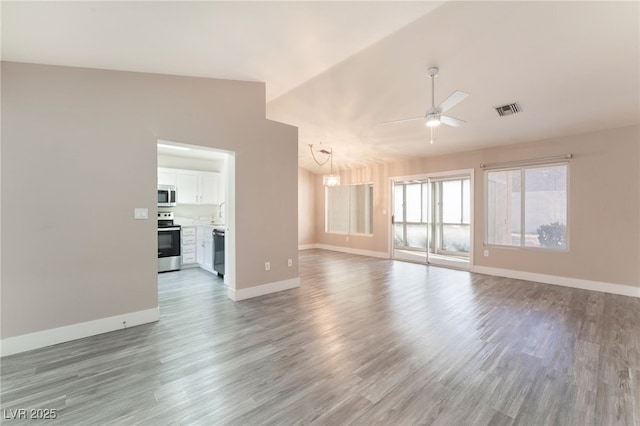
527, 207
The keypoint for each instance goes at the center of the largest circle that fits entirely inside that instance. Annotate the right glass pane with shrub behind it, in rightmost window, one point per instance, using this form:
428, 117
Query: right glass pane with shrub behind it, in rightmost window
546, 207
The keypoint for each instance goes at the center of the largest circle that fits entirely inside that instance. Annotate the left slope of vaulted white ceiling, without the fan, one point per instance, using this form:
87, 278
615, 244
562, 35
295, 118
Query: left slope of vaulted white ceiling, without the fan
280, 43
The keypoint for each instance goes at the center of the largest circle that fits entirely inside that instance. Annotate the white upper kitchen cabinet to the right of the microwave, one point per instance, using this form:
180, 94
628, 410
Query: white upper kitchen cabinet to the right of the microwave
196, 187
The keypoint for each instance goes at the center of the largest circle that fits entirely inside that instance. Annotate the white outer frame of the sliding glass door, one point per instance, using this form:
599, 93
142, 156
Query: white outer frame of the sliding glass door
427, 177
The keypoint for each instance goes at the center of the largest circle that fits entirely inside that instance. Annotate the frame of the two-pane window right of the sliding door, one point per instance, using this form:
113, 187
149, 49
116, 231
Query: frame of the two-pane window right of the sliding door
522, 169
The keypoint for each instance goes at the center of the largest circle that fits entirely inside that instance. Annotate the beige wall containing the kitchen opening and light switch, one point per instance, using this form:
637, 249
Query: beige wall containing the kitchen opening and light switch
79, 154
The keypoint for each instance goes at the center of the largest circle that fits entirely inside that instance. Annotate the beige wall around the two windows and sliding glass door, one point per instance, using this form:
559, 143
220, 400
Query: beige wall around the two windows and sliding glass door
604, 206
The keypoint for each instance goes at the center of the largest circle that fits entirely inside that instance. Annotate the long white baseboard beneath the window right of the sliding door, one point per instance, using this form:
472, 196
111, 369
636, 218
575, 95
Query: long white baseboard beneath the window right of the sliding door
623, 290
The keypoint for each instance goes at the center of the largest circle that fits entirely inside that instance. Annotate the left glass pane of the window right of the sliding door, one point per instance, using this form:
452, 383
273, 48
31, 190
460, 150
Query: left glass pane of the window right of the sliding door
503, 207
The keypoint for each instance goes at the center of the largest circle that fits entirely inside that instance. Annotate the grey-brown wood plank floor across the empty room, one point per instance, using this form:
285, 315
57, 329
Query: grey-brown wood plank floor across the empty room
363, 341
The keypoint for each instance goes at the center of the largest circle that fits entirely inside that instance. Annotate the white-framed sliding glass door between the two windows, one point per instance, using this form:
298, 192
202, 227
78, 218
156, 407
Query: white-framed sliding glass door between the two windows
432, 220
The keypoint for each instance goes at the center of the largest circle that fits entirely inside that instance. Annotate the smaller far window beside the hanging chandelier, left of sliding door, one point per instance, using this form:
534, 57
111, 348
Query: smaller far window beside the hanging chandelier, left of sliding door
349, 209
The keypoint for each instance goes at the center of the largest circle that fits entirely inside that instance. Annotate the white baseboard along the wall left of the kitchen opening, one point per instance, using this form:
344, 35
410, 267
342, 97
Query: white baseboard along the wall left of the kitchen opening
40, 339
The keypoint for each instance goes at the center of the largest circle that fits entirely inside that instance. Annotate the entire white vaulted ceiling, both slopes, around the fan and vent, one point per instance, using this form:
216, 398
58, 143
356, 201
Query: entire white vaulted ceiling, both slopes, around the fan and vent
338, 69
